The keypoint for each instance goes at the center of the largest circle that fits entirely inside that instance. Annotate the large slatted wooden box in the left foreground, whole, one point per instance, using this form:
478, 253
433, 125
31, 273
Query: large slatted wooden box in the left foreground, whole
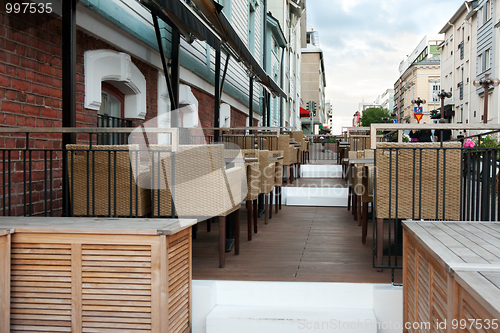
99, 275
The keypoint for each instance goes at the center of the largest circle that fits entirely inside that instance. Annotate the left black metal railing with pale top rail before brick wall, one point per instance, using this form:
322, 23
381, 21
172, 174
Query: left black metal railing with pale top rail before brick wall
40, 177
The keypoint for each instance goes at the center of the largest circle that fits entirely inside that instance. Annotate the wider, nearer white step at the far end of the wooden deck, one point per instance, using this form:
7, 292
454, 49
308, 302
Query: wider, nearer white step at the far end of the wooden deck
314, 196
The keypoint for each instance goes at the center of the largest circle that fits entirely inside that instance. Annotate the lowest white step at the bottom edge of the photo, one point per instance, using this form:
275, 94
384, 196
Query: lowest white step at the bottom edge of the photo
266, 319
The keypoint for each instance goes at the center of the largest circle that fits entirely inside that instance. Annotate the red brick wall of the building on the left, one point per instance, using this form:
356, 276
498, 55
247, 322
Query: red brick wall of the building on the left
31, 95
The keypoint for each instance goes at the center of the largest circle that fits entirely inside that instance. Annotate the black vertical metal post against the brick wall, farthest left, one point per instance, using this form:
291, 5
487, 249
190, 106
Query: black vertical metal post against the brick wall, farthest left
68, 87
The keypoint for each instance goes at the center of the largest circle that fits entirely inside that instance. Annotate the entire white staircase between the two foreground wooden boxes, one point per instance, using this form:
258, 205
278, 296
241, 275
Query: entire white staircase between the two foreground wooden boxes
288, 307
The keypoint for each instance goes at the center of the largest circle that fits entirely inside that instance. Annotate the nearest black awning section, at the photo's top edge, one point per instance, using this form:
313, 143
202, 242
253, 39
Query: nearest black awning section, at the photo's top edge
177, 13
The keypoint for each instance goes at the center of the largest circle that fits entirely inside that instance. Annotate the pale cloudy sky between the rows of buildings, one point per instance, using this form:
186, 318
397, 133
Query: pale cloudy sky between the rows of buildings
363, 42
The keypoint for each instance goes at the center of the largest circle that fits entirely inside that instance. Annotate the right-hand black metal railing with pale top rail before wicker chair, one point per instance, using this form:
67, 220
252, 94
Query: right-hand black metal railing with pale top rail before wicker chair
439, 182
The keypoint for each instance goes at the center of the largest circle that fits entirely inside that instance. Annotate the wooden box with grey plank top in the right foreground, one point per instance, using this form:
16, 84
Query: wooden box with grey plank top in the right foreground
451, 275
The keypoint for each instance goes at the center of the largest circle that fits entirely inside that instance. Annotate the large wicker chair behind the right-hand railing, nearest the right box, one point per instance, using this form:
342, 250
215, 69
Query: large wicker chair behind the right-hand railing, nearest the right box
430, 193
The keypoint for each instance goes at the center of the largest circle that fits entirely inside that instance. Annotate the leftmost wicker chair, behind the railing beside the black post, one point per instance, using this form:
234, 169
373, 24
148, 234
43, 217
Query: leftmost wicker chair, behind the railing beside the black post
102, 182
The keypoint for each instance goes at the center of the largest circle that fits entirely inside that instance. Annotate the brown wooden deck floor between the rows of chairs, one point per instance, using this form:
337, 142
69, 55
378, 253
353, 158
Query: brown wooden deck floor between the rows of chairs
307, 244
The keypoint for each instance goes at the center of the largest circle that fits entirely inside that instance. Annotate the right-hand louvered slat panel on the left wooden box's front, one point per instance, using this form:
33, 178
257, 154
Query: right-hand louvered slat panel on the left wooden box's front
116, 288
